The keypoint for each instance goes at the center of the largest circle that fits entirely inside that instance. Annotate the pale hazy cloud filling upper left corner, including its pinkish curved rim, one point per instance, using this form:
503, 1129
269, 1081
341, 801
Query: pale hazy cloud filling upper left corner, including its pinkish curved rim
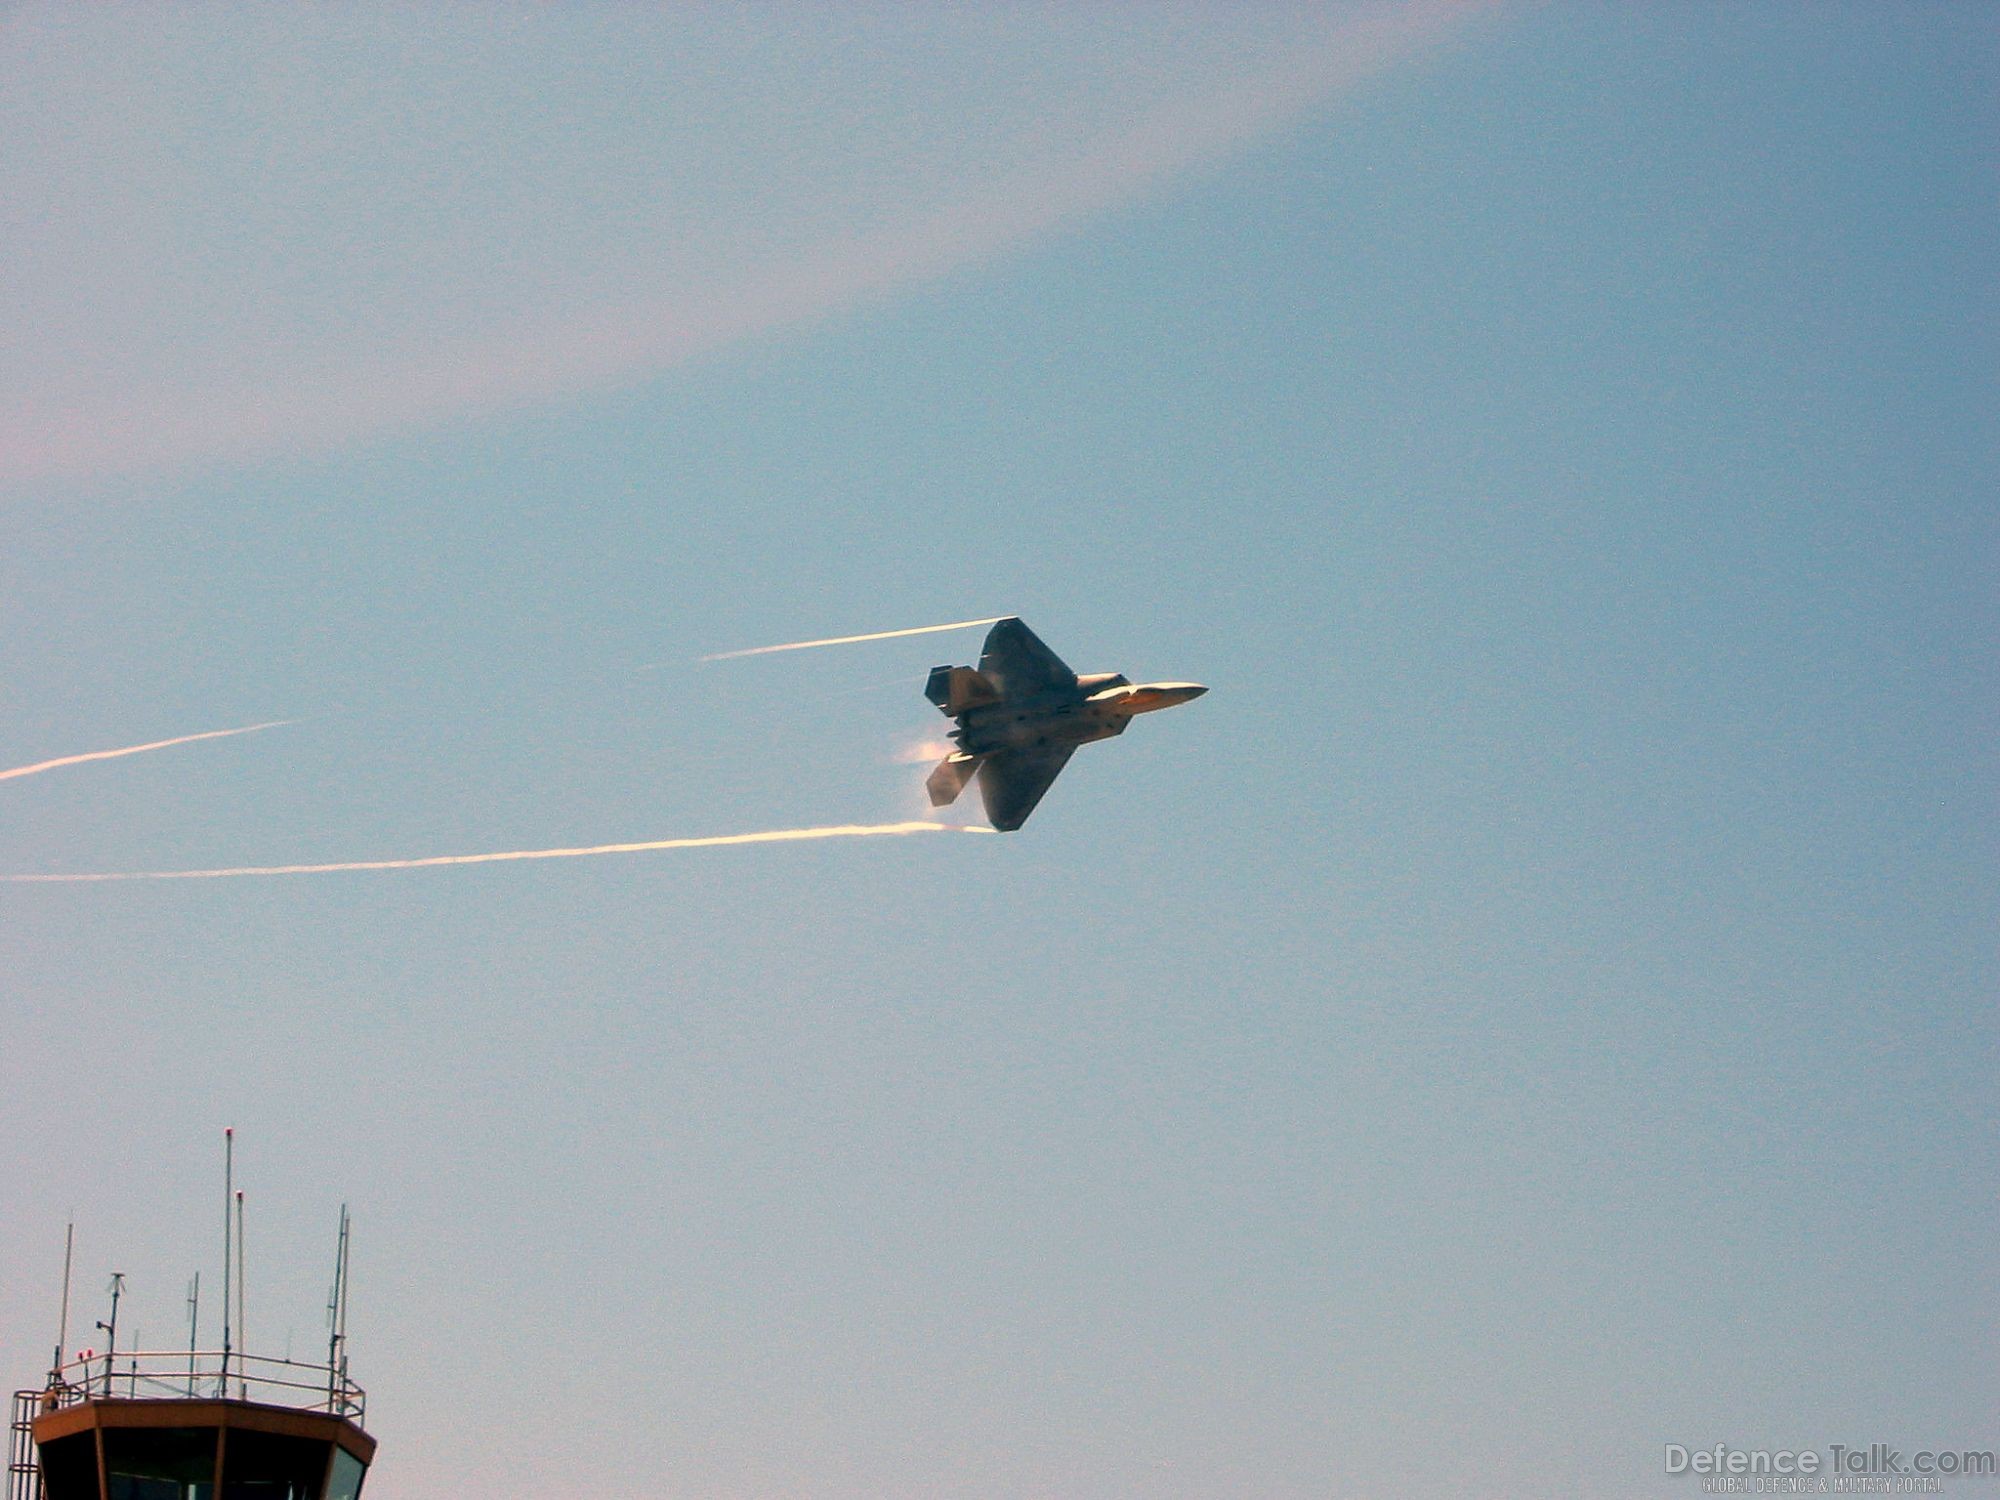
239, 233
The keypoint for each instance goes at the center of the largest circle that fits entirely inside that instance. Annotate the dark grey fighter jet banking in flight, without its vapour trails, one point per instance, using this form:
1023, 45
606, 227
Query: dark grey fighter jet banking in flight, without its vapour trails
1021, 715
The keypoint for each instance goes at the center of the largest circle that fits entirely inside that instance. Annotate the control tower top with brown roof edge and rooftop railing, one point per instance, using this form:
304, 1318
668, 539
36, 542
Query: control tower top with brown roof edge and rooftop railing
189, 1427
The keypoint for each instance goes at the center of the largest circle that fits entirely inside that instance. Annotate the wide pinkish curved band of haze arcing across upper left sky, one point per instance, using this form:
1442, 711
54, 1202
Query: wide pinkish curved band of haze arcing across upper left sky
339, 397
